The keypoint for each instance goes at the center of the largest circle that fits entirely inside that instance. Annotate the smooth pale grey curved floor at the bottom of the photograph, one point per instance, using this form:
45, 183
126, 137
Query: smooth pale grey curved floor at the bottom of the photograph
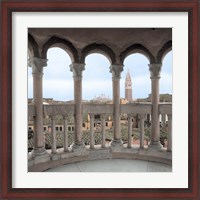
113, 165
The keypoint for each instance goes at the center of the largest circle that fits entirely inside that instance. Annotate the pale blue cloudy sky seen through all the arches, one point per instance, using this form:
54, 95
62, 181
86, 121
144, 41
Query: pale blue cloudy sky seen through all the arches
97, 80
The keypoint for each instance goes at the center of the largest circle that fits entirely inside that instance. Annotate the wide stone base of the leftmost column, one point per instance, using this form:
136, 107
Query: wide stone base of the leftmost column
39, 155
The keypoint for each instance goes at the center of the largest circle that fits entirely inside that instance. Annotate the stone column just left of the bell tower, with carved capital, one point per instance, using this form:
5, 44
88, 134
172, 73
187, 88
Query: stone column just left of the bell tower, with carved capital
116, 72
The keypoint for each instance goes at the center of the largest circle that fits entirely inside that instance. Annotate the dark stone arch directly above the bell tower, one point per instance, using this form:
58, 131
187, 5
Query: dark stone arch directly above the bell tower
137, 48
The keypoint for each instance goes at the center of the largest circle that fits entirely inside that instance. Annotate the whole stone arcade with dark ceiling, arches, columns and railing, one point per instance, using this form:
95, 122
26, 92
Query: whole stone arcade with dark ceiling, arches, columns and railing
116, 44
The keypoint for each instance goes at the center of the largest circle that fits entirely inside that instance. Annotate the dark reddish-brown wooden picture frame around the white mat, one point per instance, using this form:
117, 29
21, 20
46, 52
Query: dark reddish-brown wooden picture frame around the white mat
9, 6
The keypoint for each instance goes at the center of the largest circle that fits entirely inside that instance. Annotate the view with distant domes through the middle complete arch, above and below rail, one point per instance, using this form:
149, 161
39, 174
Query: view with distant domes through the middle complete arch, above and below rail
97, 90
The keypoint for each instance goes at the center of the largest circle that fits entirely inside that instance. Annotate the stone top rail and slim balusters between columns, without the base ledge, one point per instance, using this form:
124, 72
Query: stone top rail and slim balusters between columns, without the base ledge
103, 110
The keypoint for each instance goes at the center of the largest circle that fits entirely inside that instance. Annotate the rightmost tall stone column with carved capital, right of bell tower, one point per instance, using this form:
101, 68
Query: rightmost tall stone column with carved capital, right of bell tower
155, 124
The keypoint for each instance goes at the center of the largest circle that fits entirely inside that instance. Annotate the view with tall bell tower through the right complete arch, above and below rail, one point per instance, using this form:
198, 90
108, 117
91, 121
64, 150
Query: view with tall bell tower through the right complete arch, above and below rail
136, 88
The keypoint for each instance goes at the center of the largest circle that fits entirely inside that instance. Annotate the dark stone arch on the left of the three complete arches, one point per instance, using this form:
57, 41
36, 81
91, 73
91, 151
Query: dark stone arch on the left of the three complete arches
63, 44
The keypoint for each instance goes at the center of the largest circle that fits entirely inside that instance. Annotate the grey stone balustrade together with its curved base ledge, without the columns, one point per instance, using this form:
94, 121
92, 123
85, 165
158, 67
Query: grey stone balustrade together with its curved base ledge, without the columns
103, 151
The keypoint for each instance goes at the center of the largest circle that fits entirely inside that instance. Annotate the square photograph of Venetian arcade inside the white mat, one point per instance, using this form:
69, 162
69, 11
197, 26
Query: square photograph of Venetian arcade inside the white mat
100, 99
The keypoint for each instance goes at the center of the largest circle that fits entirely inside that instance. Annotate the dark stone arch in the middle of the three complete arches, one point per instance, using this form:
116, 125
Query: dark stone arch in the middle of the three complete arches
98, 48
